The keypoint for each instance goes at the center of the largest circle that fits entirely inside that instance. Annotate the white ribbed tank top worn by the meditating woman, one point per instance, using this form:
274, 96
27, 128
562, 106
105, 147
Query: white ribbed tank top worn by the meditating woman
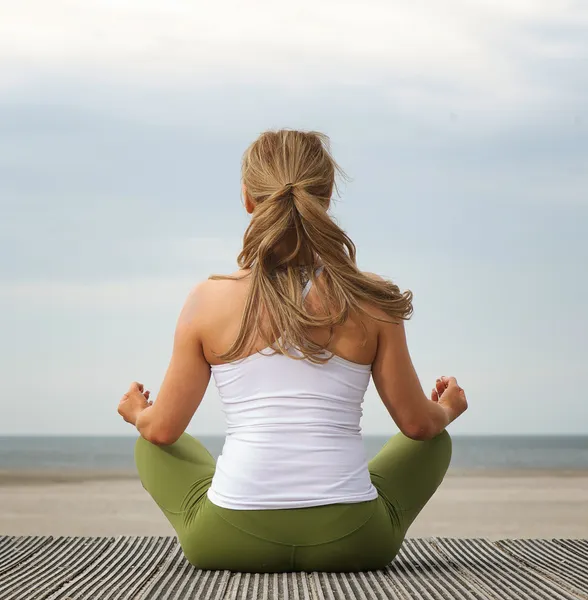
293, 437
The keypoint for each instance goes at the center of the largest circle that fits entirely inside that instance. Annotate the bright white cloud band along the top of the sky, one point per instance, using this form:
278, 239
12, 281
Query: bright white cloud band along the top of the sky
471, 53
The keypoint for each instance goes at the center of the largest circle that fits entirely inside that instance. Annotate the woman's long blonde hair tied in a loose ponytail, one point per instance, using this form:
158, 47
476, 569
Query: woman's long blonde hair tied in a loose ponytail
290, 176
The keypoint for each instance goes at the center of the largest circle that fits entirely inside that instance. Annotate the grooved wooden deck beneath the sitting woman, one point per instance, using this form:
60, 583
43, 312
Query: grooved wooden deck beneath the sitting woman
138, 568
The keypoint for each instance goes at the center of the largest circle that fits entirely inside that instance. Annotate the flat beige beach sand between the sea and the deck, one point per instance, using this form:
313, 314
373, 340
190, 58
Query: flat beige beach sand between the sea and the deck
495, 505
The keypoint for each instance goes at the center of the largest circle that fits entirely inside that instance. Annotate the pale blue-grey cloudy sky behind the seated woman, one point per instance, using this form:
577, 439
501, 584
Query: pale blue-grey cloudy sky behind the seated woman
463, 127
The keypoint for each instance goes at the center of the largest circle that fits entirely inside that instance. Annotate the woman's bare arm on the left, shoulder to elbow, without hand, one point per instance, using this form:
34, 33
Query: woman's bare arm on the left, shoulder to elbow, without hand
186, 379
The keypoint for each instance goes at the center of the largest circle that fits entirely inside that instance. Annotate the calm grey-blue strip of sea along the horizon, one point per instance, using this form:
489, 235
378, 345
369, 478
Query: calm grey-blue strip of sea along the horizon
469, 452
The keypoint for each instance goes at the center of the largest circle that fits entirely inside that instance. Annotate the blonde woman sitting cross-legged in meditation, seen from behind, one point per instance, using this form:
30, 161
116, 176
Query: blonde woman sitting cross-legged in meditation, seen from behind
291, 340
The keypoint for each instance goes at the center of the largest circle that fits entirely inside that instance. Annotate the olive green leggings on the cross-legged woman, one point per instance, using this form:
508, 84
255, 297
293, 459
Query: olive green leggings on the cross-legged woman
335, 538
